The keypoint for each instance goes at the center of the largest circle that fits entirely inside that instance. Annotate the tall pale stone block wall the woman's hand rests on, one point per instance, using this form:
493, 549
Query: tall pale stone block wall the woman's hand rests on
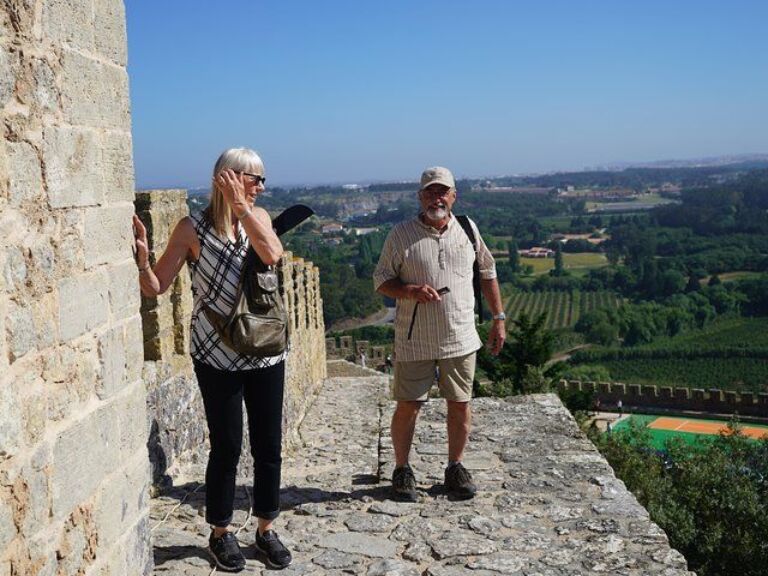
73, 460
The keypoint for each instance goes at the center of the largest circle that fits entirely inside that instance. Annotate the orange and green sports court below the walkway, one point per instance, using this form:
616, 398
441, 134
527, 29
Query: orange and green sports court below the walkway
688, 429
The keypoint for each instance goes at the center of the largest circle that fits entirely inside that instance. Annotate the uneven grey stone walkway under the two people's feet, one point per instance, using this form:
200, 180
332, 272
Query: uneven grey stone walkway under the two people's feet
548, 504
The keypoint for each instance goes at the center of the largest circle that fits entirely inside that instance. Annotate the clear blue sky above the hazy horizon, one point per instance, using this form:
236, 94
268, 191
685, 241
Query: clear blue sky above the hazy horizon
338, 91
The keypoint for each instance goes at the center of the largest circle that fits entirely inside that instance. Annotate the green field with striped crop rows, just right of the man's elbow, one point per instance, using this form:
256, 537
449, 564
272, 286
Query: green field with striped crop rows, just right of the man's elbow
563, 309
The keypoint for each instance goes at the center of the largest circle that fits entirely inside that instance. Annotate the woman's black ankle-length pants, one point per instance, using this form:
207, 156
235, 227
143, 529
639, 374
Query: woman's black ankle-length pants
223, 394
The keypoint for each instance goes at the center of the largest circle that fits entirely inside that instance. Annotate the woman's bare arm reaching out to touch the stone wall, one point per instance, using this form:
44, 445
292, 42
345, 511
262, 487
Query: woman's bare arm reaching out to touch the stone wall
182, 244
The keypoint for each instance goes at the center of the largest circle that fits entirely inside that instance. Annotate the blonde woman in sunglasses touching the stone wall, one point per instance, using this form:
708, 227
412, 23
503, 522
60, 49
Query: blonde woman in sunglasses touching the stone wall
214, 245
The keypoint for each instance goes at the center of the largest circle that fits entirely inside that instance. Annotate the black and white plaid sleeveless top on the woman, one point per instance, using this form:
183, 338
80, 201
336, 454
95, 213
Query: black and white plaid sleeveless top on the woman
215, 276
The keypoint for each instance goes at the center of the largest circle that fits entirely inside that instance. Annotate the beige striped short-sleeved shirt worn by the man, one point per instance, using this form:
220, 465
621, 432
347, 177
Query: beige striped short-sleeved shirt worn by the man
419, 254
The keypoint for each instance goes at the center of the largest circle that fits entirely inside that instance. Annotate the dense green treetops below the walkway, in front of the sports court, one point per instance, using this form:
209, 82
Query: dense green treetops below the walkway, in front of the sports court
710, 498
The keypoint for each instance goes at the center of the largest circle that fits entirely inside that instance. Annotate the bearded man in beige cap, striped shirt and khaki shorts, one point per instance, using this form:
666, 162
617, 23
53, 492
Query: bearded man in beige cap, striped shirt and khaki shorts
426, 265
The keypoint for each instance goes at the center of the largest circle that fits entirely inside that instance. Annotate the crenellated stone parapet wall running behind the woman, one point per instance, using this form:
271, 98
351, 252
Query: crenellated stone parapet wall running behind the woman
177, 420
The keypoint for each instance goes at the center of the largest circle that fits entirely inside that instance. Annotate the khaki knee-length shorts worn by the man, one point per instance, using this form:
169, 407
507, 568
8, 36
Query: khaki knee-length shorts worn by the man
413, 380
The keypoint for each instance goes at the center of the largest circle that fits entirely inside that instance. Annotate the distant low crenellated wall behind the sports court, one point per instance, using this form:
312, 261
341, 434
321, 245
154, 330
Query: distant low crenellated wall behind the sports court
713, 401
